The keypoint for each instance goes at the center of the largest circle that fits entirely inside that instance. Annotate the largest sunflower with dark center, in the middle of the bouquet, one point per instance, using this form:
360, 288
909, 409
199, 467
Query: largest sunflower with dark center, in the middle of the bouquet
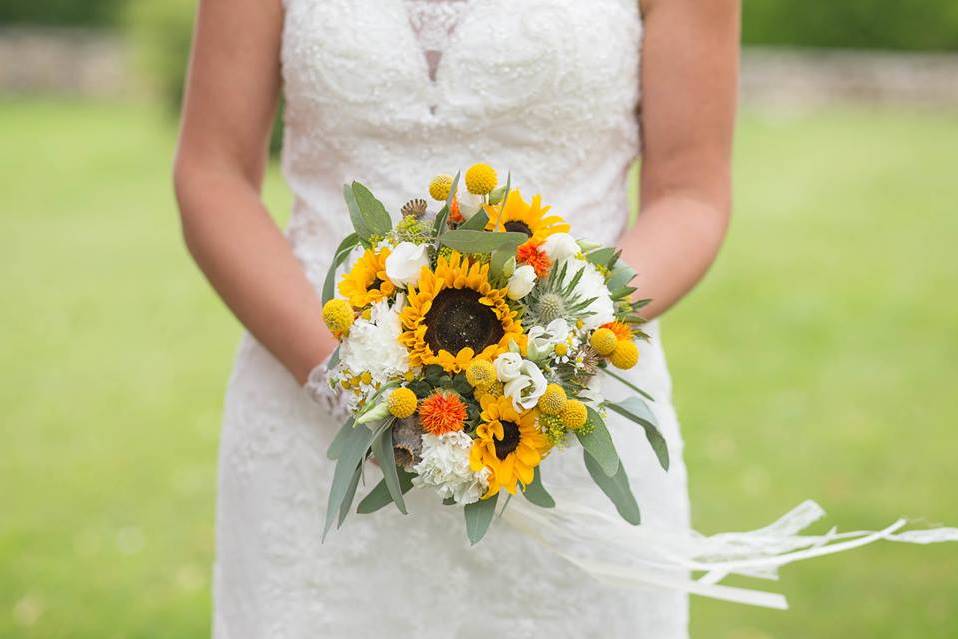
453, 315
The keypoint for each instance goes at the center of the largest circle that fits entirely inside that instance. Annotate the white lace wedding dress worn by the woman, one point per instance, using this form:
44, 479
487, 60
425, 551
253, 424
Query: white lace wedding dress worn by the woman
390, 92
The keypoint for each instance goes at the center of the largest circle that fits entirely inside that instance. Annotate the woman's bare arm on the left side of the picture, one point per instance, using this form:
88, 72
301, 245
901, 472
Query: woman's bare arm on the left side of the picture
230, 102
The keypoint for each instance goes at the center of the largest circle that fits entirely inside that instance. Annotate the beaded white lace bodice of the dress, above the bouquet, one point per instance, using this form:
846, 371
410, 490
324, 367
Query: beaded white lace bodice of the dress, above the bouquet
392, 91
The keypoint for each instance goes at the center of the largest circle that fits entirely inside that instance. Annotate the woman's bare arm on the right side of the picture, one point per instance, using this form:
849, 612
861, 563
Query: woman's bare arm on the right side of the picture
689, 89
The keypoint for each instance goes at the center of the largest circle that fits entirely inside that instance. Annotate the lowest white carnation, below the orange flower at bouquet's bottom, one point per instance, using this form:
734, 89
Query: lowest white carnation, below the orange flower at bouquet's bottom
445, 467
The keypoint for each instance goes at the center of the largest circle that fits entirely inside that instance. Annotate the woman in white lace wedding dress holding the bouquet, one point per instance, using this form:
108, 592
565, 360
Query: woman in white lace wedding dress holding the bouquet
388, 92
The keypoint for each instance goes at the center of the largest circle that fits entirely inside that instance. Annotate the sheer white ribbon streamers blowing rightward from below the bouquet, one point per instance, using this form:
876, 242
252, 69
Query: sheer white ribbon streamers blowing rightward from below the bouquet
613, 551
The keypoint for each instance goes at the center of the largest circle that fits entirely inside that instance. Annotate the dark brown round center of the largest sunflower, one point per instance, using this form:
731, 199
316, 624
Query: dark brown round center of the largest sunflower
457, 319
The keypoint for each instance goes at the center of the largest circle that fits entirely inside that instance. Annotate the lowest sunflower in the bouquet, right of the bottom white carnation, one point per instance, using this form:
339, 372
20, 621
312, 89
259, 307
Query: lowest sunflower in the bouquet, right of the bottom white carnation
508, 443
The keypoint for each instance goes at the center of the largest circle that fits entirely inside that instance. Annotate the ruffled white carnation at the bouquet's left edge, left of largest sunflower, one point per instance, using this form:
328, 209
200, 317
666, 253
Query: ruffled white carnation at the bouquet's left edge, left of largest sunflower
373, 344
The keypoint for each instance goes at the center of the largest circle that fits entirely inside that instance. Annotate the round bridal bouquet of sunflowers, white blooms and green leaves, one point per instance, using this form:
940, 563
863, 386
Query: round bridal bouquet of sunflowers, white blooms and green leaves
470, 342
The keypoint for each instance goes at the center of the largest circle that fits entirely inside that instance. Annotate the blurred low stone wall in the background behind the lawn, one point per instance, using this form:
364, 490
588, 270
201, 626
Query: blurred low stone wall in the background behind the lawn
98, 64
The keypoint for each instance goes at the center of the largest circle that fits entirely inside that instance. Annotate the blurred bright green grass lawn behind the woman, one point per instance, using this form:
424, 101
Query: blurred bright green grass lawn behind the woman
818, 359
